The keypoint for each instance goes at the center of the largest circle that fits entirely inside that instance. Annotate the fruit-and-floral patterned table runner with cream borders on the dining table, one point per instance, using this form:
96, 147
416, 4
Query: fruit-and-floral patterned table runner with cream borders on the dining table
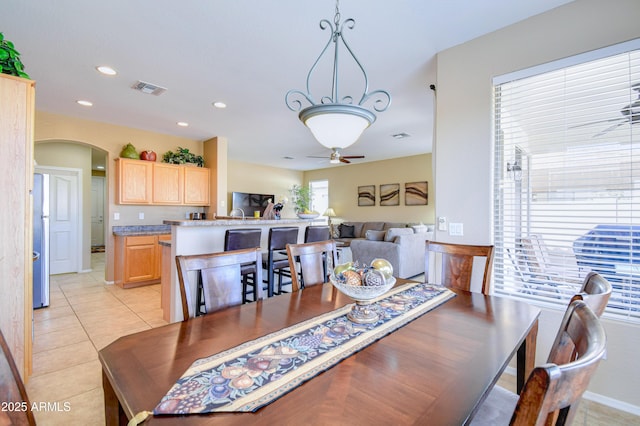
255, 373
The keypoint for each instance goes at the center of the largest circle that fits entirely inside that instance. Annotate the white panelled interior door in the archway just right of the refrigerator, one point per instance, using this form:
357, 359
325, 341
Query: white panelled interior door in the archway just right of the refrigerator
64, 220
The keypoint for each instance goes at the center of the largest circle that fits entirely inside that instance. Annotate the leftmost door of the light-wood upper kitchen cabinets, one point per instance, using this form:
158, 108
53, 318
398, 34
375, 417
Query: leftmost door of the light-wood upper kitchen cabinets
134, 181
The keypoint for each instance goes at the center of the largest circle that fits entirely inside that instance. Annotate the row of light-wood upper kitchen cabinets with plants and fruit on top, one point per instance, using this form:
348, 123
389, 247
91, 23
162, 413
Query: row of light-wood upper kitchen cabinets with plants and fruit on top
151, 183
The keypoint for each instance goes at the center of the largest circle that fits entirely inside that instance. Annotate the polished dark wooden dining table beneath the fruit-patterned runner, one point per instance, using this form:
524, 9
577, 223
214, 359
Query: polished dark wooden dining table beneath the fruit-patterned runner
434, 370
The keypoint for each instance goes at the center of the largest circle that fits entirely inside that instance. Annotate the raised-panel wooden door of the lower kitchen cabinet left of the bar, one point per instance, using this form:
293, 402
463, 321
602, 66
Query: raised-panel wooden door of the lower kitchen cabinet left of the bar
140, 258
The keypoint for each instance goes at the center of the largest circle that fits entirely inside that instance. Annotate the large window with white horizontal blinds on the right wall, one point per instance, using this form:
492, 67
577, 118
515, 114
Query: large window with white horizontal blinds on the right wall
567, 179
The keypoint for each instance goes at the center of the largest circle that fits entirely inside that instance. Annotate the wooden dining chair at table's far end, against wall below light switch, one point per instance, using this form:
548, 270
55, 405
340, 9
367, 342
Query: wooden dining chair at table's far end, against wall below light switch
457, 264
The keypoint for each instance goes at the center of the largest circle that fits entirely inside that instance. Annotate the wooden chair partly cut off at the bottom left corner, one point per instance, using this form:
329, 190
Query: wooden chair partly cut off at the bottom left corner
17, 410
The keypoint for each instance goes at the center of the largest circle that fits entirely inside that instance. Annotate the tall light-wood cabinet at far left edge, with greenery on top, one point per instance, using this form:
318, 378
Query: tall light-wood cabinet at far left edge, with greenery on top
17, 96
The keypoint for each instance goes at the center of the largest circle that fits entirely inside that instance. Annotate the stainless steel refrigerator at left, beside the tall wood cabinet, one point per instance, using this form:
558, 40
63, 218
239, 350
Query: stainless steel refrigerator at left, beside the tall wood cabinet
40, 240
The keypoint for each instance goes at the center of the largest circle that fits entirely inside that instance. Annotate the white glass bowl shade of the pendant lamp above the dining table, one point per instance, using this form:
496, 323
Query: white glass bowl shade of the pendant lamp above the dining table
336, 125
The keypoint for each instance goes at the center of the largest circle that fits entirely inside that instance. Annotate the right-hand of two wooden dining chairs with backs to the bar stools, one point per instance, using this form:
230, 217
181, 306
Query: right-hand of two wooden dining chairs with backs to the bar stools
315, 259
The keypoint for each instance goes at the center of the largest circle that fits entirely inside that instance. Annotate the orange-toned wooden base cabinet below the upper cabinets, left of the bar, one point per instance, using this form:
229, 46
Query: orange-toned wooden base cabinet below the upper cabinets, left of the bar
138, 260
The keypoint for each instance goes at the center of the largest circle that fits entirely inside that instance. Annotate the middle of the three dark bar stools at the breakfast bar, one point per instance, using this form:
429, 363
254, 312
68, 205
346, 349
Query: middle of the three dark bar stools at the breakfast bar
275, 261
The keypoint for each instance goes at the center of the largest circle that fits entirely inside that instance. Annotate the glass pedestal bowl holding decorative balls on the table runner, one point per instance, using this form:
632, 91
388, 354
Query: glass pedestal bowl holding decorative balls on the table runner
363, 311
